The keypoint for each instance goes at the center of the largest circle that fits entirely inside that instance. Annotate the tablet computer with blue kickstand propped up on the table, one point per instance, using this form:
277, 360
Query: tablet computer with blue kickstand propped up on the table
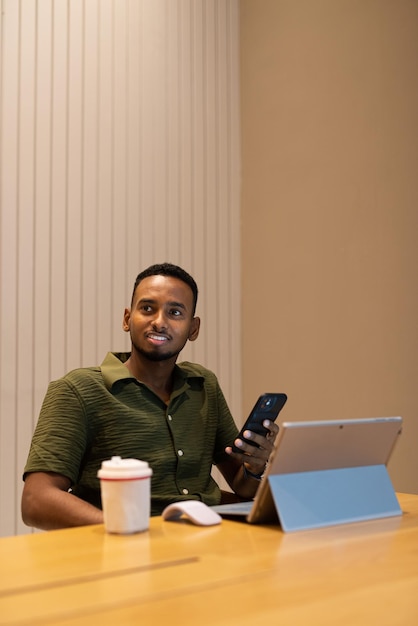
325, 472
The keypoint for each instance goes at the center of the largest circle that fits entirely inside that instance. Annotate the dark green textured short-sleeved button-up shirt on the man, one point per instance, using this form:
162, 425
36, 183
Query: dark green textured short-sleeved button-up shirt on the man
92, 414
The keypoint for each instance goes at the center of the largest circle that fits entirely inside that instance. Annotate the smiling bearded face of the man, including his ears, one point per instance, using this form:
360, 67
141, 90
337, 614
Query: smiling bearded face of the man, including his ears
161, 318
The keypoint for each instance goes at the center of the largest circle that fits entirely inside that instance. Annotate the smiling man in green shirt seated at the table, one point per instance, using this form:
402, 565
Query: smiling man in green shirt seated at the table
140, 405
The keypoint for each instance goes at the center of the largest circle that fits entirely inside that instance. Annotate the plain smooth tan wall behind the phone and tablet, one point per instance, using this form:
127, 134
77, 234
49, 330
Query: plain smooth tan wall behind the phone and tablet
329, 101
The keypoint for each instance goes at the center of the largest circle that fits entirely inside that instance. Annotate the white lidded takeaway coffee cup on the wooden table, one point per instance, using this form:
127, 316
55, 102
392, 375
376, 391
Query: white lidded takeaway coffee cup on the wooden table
126, 495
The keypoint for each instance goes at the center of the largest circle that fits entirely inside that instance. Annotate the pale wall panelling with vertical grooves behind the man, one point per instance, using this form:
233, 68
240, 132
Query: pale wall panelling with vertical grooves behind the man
119, 124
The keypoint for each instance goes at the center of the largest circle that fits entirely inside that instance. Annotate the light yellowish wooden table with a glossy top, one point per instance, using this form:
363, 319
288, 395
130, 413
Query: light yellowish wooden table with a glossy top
235, 573
